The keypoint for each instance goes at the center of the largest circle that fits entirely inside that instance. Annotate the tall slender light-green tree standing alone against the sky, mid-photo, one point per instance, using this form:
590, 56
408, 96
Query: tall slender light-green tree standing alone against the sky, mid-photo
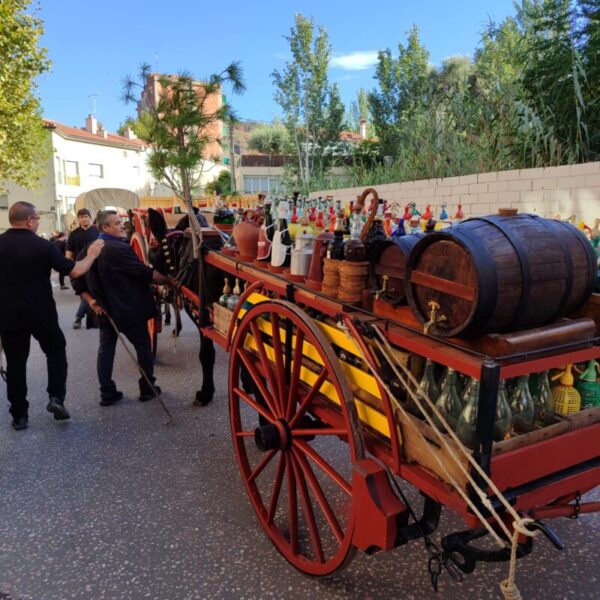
313, 111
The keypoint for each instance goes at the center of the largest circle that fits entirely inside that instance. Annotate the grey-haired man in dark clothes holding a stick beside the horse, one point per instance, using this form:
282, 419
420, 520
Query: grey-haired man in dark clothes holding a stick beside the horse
119, 285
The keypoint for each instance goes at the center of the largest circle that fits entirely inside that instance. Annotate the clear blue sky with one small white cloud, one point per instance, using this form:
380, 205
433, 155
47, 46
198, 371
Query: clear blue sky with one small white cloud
94, 45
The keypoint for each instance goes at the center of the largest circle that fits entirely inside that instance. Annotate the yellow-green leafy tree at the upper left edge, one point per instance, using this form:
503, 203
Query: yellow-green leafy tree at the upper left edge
24, 143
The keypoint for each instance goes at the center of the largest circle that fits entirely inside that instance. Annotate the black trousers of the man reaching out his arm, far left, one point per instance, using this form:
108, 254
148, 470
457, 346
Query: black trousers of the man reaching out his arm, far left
16, 346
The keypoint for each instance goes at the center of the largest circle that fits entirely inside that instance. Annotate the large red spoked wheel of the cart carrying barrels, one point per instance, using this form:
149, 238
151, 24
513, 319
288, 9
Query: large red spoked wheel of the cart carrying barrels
297, 464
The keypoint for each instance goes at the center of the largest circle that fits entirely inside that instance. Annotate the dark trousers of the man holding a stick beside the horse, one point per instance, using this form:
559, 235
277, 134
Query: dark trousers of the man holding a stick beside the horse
140, 339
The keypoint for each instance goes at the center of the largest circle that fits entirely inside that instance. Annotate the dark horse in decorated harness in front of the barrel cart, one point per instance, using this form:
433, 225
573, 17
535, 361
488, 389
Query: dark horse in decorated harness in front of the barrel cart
198, 286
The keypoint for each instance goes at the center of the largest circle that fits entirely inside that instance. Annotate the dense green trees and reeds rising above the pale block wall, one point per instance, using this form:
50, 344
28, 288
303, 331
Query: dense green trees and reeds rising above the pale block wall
530, 97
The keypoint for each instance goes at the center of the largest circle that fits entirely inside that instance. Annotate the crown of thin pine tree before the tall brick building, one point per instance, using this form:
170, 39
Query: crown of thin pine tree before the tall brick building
180, 126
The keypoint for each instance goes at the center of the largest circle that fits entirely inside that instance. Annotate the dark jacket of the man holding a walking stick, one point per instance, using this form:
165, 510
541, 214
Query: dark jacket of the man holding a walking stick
120, 282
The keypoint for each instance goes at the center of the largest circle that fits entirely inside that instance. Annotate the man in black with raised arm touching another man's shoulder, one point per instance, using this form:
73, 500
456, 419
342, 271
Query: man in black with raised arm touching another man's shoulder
27, 309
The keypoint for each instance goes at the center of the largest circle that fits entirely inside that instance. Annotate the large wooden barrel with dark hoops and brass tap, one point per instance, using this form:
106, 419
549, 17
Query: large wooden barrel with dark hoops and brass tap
499, 274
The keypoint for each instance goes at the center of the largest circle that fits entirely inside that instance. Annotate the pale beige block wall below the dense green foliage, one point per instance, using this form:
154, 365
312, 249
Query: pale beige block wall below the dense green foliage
550, 191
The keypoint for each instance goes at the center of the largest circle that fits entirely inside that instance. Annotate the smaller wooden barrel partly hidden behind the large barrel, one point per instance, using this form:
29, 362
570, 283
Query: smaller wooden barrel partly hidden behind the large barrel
391, 263
